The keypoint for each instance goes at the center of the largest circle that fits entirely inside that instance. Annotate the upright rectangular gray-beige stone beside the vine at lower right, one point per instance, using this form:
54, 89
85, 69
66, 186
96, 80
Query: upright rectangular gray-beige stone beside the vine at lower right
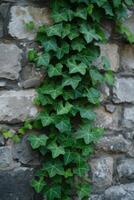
102, 172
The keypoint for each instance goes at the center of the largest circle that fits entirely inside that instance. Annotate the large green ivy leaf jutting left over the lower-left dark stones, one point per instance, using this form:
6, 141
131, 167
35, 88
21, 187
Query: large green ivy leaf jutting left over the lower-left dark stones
37, 141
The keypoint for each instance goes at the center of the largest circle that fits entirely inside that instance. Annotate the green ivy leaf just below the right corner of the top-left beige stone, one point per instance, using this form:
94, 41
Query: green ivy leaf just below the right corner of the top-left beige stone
54, 30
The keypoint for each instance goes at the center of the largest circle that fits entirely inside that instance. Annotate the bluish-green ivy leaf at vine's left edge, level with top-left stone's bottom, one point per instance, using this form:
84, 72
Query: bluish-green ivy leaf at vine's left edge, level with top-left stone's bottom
50, 45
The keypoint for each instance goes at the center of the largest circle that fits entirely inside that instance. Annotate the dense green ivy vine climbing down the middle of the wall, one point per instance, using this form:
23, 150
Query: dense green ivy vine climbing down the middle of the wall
69, 93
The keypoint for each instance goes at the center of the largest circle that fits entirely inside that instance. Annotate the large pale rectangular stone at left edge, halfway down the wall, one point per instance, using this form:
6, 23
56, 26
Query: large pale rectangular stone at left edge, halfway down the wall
16, 106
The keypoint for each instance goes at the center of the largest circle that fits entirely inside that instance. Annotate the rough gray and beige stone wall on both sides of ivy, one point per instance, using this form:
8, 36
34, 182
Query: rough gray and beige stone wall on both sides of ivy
112, 166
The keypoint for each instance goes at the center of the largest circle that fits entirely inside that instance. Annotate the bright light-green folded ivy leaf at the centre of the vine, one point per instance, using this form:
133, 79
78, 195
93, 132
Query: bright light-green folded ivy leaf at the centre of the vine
61, 109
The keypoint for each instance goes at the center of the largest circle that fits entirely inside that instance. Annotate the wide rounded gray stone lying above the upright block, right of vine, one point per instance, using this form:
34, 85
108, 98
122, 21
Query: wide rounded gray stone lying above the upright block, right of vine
114, 144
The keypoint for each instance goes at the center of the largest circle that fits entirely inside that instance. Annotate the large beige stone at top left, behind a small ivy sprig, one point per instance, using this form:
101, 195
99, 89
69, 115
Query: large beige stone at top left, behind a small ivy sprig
22, 15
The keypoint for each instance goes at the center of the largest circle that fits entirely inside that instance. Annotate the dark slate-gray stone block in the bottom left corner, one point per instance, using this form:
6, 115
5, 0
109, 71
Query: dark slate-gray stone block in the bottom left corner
15, 184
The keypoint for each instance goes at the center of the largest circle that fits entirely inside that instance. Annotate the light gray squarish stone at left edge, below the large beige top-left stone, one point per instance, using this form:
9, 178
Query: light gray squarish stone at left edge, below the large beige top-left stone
10, 57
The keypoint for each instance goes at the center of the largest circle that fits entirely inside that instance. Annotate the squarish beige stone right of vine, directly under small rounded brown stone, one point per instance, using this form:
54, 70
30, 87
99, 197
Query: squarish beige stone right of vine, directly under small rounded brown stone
107, 120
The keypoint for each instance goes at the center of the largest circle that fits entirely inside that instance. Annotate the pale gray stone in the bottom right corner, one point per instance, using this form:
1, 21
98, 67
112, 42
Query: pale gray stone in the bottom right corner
121, 192
